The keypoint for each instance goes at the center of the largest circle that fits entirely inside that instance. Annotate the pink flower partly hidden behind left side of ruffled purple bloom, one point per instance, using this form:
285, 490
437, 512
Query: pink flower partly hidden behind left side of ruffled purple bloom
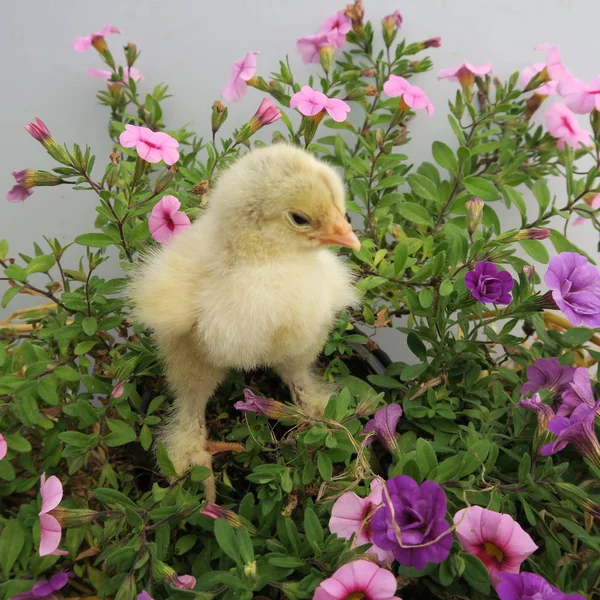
351, 516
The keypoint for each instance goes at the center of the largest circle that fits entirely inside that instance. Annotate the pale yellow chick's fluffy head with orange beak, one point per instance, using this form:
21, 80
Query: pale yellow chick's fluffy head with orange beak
284, 197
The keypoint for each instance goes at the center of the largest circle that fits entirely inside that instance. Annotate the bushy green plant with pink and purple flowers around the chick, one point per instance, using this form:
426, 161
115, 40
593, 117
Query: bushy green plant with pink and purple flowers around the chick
476, 466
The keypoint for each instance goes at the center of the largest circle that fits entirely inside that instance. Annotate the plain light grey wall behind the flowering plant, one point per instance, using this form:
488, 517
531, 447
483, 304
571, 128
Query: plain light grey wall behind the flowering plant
191, 44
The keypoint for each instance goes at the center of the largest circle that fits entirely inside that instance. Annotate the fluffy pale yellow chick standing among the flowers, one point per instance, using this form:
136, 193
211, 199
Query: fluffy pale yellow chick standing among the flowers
250, 284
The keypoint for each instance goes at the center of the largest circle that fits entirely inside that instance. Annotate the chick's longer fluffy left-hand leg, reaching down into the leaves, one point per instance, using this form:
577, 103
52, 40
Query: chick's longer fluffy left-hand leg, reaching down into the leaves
194, 382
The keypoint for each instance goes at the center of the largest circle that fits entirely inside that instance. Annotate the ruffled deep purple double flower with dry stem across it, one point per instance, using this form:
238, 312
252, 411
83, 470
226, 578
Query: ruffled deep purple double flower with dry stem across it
416, 516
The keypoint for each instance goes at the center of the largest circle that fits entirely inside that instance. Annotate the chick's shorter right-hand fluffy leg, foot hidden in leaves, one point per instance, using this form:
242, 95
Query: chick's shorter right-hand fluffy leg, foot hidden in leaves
308, 390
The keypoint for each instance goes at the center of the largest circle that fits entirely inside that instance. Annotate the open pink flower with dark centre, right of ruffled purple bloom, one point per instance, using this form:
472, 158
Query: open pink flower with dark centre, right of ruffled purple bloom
495, 538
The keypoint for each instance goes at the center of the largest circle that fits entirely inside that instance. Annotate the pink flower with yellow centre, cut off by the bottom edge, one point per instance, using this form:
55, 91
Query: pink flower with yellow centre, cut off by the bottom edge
358, 579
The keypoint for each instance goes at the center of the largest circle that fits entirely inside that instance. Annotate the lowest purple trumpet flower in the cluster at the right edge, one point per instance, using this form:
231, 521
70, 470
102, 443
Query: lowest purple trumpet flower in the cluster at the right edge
578, 429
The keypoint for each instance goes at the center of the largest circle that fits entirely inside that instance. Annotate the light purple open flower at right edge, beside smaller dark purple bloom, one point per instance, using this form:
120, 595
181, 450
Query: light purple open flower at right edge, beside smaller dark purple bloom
575, 285
